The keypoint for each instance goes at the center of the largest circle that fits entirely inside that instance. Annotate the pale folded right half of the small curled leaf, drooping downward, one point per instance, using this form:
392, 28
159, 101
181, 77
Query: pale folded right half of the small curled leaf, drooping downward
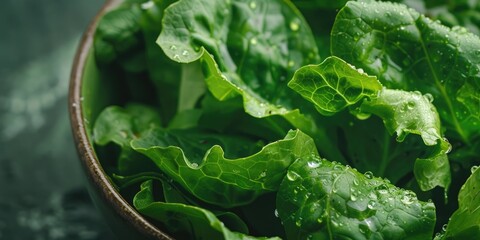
410, 112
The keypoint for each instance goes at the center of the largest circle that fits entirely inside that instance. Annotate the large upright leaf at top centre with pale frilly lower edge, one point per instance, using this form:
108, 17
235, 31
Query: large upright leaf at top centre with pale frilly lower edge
246, 49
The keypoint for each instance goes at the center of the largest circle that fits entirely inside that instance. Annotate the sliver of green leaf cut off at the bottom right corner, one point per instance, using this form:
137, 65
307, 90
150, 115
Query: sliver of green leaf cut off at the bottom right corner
465, 222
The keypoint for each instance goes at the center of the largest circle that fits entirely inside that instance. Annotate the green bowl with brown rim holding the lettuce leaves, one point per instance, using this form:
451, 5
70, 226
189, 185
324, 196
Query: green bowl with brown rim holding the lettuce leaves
85, 102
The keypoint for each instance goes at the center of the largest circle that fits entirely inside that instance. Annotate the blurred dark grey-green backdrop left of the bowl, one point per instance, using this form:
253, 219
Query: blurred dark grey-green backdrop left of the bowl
42, 193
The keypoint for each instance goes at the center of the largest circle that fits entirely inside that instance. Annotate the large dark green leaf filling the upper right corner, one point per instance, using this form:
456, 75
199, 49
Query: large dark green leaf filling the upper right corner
406, 50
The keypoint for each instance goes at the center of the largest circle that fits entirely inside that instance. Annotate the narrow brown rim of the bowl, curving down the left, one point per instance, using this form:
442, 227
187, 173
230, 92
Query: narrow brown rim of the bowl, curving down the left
89, 161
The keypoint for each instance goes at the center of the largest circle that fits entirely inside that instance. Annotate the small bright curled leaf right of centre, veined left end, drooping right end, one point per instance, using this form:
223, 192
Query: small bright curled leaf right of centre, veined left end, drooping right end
334, 85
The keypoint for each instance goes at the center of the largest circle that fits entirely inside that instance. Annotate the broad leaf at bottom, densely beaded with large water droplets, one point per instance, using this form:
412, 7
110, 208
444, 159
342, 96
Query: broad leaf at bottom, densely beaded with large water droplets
319, 199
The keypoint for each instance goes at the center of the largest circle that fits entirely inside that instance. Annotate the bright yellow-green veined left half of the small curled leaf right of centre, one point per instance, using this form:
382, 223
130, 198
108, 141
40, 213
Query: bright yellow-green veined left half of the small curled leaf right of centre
333, 85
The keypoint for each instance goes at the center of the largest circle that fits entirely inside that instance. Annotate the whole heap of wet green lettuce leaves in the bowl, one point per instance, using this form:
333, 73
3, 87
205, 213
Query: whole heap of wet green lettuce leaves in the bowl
246, 119
